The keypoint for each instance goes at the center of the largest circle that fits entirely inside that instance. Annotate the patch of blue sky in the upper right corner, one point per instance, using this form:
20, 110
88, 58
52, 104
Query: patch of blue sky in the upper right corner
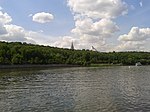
136, 17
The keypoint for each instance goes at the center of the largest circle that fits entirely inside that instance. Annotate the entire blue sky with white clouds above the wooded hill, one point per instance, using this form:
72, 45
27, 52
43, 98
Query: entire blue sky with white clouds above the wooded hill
108, 25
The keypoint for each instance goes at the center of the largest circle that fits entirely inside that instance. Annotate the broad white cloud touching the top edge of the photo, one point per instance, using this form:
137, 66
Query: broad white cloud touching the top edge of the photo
98, 8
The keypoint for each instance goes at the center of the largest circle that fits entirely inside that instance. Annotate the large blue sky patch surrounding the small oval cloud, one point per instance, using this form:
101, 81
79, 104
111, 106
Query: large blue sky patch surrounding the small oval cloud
20, 10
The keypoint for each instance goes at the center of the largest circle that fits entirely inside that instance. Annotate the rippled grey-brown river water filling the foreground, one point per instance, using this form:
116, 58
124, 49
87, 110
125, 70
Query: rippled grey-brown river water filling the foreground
105, 89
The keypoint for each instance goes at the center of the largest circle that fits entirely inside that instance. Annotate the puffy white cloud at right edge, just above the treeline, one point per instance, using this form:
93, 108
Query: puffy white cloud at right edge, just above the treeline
136, 39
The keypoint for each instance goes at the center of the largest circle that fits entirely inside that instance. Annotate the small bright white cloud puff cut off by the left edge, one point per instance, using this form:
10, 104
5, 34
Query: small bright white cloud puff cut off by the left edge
4, 18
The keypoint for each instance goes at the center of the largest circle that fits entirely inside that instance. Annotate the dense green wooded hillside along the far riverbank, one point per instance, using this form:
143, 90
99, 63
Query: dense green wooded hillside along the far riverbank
20, 55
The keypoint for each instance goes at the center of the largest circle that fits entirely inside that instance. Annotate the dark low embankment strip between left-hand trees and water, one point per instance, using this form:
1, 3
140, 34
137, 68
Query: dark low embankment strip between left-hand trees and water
36, 66
